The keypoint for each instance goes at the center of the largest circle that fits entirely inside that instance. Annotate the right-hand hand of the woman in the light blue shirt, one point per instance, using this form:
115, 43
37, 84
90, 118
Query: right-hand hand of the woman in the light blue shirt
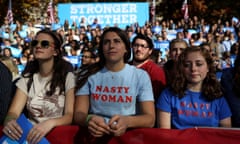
118, 125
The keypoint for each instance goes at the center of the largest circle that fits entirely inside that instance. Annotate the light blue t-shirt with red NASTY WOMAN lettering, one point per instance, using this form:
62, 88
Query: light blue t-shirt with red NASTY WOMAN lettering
114, 93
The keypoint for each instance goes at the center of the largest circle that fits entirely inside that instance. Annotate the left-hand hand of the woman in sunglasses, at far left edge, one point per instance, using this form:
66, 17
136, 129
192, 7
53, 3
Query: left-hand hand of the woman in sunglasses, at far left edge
12, 130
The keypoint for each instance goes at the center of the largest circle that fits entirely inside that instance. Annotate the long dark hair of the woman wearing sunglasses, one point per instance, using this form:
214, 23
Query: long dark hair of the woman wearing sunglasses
60, 67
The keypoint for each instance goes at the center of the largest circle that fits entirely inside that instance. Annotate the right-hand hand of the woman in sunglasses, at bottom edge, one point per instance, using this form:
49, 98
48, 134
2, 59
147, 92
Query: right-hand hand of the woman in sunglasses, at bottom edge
39, 131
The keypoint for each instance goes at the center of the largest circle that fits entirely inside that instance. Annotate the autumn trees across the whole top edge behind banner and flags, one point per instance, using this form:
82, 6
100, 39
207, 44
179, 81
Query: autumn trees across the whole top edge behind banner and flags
168, 9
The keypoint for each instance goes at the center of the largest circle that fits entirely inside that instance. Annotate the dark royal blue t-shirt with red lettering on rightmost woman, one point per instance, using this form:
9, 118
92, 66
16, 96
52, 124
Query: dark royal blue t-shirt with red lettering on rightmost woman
193, 110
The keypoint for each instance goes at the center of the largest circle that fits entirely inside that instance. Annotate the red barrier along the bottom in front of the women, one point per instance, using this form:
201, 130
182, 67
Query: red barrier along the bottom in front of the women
77, 135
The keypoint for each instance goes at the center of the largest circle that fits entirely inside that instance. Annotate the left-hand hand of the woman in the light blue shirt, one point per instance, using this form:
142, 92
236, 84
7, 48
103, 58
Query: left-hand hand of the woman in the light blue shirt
97, 126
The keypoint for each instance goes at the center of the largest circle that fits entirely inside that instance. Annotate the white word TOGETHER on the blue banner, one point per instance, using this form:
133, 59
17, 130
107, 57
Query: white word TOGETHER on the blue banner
107, 19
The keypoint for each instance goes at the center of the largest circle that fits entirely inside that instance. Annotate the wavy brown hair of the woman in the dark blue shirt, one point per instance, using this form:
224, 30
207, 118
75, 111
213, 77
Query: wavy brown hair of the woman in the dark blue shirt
211, 87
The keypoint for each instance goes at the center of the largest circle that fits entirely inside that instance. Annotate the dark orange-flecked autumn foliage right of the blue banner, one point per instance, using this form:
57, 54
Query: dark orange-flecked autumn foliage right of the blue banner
211, 10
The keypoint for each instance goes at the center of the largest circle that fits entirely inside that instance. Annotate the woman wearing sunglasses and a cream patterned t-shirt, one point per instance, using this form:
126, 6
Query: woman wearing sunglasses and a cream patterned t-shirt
46, 88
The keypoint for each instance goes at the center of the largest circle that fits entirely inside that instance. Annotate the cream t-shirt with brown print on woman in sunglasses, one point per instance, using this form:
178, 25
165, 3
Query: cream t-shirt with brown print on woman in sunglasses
41, 107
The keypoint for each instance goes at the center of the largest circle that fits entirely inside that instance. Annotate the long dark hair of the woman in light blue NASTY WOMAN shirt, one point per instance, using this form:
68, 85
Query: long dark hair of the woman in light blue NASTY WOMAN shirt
83, 75
